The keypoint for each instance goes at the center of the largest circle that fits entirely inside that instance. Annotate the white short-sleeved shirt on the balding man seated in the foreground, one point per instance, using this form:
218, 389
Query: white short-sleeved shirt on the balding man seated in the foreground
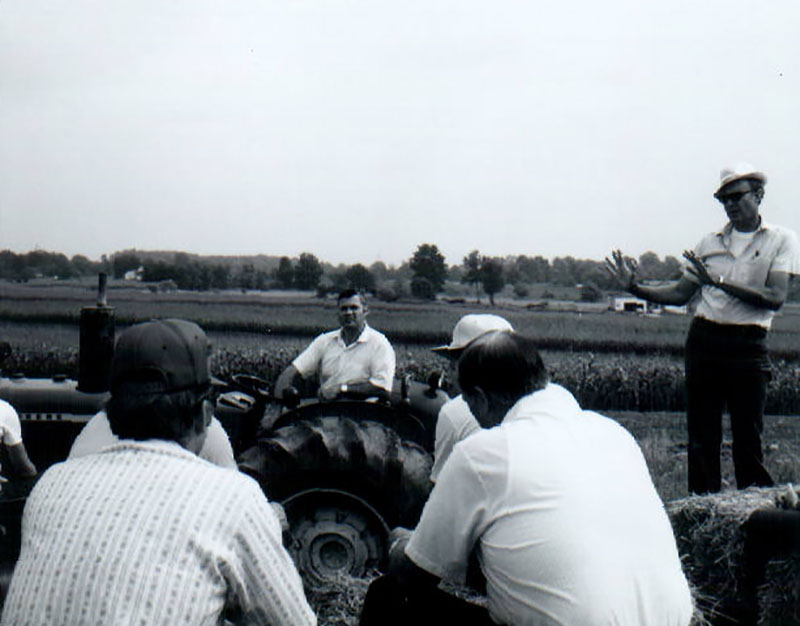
567, 524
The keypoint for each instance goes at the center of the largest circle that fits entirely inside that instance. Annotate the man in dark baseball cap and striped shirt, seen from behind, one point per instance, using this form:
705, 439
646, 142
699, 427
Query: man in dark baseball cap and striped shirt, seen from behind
145, 532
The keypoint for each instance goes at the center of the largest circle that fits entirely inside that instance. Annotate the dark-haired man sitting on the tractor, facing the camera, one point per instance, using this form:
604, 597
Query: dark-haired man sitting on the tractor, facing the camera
353, 361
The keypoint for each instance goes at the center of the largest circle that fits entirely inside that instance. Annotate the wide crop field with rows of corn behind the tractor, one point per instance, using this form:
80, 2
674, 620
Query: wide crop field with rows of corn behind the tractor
627, 366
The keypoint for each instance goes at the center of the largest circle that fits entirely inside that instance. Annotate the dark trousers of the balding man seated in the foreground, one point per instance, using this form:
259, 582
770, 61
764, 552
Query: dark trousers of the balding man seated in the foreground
389, 604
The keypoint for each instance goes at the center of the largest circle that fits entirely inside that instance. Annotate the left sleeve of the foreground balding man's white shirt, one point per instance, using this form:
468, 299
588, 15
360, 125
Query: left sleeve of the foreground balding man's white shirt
454, 518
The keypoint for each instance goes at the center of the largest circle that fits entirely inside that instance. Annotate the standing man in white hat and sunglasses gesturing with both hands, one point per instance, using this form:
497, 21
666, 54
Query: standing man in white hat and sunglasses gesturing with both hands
736, 278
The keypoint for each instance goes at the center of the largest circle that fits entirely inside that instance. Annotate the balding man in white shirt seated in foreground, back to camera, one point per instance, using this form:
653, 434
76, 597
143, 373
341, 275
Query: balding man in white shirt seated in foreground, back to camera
557, 502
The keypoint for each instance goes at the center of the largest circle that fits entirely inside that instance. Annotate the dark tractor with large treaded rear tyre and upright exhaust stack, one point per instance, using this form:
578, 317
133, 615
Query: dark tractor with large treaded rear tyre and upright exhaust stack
345, 471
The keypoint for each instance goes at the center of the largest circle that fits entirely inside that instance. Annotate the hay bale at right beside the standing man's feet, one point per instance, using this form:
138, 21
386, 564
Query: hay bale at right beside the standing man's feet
708, 531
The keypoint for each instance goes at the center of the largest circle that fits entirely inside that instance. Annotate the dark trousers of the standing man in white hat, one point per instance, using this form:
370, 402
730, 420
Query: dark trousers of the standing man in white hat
726, 366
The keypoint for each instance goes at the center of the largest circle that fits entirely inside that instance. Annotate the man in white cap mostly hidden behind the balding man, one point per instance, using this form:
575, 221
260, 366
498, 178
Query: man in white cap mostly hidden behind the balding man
455, 421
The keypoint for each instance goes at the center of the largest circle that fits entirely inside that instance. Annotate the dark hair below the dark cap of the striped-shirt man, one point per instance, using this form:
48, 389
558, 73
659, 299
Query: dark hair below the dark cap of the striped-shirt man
154, 414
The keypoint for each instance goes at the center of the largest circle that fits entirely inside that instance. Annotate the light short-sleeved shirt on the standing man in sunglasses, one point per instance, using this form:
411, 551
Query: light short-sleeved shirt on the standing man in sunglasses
771, 249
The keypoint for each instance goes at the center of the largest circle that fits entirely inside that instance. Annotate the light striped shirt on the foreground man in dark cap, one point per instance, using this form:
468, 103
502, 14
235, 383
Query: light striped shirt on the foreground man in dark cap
147, 533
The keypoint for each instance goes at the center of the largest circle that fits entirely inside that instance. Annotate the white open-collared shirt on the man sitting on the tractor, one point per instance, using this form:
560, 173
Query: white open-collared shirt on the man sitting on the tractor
370, 358
